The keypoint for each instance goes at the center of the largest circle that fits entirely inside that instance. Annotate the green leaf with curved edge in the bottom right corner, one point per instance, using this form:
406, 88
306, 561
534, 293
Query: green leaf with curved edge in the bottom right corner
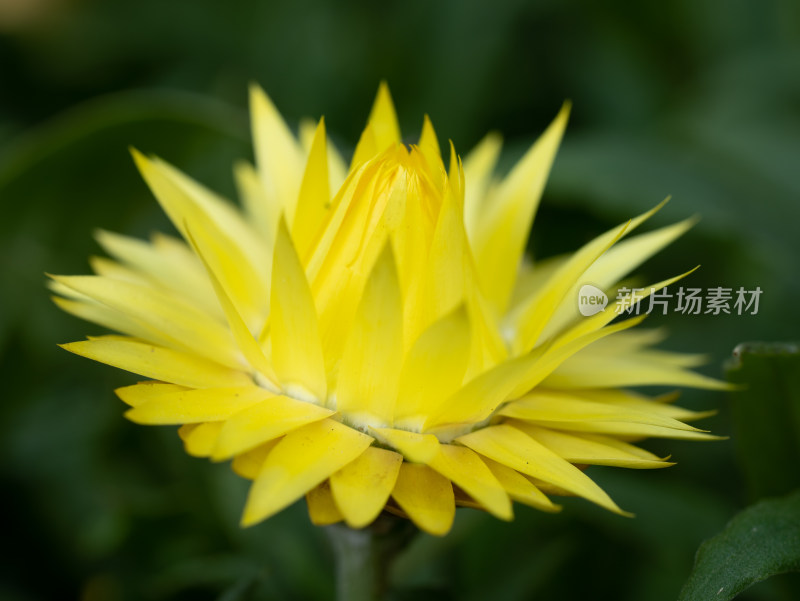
761, 541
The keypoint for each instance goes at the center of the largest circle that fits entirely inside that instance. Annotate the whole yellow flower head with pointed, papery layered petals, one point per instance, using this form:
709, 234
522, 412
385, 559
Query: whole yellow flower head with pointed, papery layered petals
374, 338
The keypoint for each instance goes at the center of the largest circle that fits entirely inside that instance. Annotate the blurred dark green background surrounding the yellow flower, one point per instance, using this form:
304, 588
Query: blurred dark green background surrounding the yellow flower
694, 98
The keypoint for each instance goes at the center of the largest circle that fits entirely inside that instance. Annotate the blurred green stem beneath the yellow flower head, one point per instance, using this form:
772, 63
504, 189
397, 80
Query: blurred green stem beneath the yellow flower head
363, 557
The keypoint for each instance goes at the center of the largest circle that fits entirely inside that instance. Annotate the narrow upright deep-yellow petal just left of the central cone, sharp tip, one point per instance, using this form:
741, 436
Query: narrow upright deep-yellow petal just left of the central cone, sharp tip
312, 203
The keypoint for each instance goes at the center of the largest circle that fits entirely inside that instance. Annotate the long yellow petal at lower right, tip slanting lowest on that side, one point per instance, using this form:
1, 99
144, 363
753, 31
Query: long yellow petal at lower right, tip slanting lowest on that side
517, 450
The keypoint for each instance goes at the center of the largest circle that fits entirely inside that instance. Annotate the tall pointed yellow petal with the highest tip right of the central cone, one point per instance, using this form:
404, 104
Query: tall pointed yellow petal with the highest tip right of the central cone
503, 232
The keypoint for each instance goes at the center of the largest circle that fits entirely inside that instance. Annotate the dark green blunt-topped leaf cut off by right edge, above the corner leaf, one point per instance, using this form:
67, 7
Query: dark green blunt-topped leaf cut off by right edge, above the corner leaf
766, 416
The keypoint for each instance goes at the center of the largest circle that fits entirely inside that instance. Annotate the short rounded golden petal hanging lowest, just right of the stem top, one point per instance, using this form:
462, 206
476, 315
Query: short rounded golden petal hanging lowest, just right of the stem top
426, 497
